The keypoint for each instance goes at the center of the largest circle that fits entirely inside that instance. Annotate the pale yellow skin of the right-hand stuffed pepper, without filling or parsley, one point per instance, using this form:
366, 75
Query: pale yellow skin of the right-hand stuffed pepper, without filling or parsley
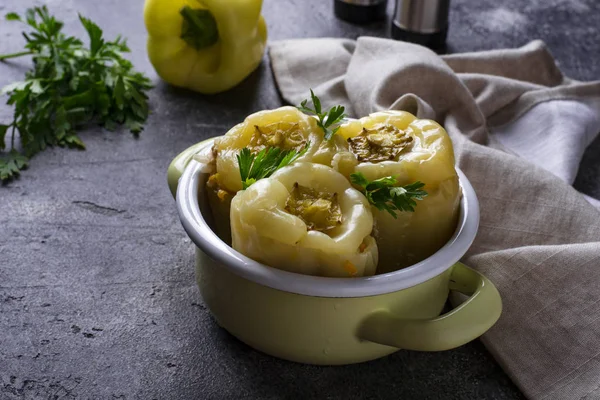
428, 157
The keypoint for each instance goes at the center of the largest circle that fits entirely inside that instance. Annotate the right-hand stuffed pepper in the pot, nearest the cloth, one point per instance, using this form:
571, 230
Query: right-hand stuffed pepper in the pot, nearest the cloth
418, 154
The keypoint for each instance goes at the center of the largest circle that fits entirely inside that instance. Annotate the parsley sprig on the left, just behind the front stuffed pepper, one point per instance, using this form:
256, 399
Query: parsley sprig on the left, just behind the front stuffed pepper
262, 165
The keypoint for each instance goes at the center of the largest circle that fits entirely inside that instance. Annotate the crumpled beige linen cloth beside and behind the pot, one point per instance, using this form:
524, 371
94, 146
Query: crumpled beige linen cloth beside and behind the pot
519, 129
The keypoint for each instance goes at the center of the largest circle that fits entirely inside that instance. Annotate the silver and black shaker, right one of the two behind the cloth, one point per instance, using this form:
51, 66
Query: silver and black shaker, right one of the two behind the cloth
424, 22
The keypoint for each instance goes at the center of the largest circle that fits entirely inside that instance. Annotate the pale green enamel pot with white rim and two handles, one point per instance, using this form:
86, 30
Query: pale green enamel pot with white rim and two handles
334, 321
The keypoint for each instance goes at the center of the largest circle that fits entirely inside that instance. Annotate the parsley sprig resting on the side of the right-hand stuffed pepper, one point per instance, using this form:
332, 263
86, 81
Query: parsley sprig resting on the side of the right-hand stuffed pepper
386, 196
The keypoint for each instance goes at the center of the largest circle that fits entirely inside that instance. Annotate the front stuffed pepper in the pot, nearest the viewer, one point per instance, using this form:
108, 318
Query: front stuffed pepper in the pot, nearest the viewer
306, 218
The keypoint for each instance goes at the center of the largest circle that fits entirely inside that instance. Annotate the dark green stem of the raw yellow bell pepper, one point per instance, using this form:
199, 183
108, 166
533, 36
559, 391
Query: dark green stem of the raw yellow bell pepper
199, 27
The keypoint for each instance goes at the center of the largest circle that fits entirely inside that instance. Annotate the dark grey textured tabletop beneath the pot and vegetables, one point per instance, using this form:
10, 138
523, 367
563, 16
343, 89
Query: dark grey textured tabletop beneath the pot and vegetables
97, 291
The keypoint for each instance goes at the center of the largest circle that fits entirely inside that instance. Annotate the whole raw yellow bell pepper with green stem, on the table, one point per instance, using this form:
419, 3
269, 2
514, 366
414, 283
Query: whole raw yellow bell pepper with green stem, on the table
208, 46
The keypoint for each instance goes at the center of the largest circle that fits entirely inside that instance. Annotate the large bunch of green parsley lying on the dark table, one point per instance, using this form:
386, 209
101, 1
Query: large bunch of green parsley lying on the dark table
70, 85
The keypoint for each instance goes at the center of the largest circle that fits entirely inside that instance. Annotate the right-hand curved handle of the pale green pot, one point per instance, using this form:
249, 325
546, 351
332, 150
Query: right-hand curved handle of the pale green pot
455, 328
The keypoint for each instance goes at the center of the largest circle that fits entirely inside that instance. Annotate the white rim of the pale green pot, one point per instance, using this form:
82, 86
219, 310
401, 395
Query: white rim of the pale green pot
202, 235
